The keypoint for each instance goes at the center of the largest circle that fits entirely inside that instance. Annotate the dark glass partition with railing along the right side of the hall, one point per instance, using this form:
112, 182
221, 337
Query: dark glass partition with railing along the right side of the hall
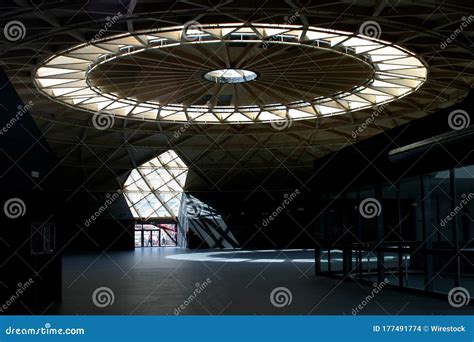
427, 234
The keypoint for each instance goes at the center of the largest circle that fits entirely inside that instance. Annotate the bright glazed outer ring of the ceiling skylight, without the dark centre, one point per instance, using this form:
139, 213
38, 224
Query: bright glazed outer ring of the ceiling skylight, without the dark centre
397, 72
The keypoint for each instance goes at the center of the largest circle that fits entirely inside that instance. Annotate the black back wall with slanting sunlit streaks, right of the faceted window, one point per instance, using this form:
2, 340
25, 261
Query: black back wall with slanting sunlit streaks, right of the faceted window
244, 220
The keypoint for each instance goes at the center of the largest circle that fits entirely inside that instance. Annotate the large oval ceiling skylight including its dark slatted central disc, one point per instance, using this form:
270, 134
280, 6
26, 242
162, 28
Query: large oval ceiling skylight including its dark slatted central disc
303, 73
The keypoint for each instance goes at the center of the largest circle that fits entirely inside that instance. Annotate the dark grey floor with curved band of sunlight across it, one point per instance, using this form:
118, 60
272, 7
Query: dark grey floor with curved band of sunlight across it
159, 280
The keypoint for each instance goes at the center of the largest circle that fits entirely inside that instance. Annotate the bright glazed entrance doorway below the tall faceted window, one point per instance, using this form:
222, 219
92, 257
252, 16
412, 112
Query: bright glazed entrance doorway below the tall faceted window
155, 235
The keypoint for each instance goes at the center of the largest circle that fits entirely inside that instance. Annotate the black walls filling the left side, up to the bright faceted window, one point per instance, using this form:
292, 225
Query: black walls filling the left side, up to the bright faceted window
36, 192
